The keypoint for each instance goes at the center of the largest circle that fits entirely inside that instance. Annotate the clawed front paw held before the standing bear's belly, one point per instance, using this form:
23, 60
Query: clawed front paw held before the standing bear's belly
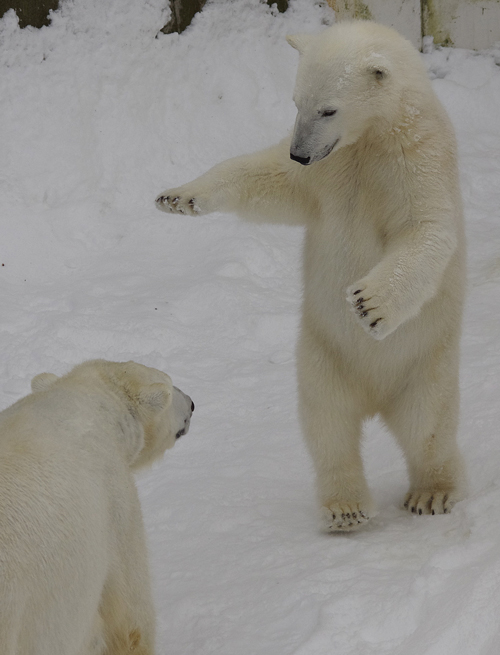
370, 310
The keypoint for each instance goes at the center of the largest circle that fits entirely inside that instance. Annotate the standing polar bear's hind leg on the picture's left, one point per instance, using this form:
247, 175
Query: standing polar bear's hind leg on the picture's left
331, 415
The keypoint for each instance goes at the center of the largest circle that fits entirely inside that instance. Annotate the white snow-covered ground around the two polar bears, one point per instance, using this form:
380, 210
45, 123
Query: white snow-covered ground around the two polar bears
96, 117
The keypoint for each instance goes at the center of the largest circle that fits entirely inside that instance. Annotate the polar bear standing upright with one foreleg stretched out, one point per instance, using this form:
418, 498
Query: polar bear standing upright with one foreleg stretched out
371, 171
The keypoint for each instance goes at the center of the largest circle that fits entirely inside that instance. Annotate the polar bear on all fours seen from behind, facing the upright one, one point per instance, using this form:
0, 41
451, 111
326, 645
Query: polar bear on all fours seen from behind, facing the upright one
73, 566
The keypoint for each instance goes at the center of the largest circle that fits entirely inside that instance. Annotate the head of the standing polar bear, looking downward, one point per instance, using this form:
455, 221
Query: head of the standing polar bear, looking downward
351, 77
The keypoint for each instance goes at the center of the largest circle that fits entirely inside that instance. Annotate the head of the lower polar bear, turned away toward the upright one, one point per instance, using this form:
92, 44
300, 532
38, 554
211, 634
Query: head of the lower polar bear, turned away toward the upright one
151, 414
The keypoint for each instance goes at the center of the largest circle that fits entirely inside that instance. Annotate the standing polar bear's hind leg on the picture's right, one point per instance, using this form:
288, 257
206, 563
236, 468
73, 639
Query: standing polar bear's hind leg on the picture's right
424, 418
